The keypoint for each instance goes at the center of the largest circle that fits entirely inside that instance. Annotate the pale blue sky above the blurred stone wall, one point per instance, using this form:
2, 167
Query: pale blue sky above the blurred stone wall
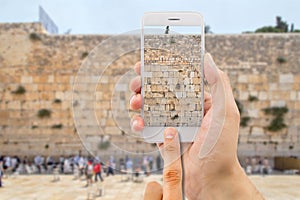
118, 16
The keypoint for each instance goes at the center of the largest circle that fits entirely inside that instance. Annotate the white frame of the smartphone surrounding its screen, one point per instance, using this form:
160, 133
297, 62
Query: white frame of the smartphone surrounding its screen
187, 134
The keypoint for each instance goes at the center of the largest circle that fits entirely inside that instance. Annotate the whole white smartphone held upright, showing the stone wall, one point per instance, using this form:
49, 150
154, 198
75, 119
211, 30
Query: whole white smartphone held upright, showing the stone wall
172, 57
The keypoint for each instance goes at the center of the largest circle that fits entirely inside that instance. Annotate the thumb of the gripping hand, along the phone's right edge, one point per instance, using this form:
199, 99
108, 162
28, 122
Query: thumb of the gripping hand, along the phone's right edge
223, 107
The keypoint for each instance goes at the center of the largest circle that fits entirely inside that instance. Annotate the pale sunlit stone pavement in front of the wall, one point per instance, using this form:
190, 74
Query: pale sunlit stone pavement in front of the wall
41, 187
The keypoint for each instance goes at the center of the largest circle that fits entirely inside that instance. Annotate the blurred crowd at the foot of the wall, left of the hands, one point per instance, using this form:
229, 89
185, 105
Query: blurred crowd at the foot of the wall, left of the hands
81, 166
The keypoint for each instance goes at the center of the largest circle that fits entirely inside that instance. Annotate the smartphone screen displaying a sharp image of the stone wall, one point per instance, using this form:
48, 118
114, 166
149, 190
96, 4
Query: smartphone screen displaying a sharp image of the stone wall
172, 76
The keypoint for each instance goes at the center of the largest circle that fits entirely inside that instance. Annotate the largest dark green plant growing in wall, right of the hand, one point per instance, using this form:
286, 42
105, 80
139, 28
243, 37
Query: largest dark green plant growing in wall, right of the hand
278, 113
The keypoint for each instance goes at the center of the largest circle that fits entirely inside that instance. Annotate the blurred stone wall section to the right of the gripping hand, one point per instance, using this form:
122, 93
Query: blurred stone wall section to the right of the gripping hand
264, 70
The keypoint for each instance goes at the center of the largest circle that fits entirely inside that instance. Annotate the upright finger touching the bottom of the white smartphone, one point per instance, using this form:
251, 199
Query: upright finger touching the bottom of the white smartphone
172, 175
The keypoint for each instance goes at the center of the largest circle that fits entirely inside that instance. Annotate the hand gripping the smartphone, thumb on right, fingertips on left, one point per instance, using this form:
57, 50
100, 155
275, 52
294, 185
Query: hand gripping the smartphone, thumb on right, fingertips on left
210, 163
